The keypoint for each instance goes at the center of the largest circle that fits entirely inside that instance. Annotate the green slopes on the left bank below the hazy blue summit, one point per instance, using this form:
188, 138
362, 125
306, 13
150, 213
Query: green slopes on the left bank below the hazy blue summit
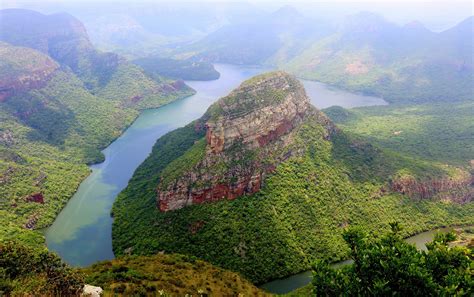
49, 132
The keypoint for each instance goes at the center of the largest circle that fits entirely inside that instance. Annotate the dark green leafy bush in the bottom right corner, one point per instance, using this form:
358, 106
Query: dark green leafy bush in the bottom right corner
390, 266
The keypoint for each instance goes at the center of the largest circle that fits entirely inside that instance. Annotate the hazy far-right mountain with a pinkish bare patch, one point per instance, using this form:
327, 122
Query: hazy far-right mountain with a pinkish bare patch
402, 64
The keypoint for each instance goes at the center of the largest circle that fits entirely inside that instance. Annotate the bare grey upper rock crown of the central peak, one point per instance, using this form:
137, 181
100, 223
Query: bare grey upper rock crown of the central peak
259, 111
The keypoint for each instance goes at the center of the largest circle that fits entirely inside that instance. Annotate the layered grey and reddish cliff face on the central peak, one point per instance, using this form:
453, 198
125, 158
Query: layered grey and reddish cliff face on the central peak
248, 133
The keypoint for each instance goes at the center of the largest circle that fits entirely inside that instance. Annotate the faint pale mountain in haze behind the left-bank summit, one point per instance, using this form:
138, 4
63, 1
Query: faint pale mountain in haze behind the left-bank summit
140, 29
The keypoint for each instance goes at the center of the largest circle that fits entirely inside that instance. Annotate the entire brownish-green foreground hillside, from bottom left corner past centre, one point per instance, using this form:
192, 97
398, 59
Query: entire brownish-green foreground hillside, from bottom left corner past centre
27, 271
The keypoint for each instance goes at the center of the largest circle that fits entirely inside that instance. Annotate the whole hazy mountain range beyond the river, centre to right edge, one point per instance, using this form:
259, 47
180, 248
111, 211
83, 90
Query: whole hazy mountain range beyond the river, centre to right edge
363, 53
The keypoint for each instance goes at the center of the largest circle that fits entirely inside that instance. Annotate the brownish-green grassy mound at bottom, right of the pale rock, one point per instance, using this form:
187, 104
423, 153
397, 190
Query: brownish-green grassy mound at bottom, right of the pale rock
167, 275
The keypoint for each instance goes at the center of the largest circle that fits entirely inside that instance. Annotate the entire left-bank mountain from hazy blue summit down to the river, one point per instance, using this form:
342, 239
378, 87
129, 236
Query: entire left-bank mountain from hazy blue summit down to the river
61, 101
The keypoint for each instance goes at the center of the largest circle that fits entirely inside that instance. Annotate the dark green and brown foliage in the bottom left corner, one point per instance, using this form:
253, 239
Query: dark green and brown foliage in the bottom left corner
24, 270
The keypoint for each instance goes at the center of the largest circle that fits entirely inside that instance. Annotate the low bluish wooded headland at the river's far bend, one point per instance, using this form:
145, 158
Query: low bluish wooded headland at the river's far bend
177, 69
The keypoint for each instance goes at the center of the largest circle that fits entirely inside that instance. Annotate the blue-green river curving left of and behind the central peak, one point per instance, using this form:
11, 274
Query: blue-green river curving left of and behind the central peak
82, 232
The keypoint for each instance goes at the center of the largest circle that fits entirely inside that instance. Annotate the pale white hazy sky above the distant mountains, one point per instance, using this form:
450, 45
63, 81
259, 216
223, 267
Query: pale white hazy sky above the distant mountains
435, 14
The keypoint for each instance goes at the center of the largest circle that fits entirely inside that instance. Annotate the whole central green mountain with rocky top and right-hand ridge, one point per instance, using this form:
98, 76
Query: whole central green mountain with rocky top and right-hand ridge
264, 184
